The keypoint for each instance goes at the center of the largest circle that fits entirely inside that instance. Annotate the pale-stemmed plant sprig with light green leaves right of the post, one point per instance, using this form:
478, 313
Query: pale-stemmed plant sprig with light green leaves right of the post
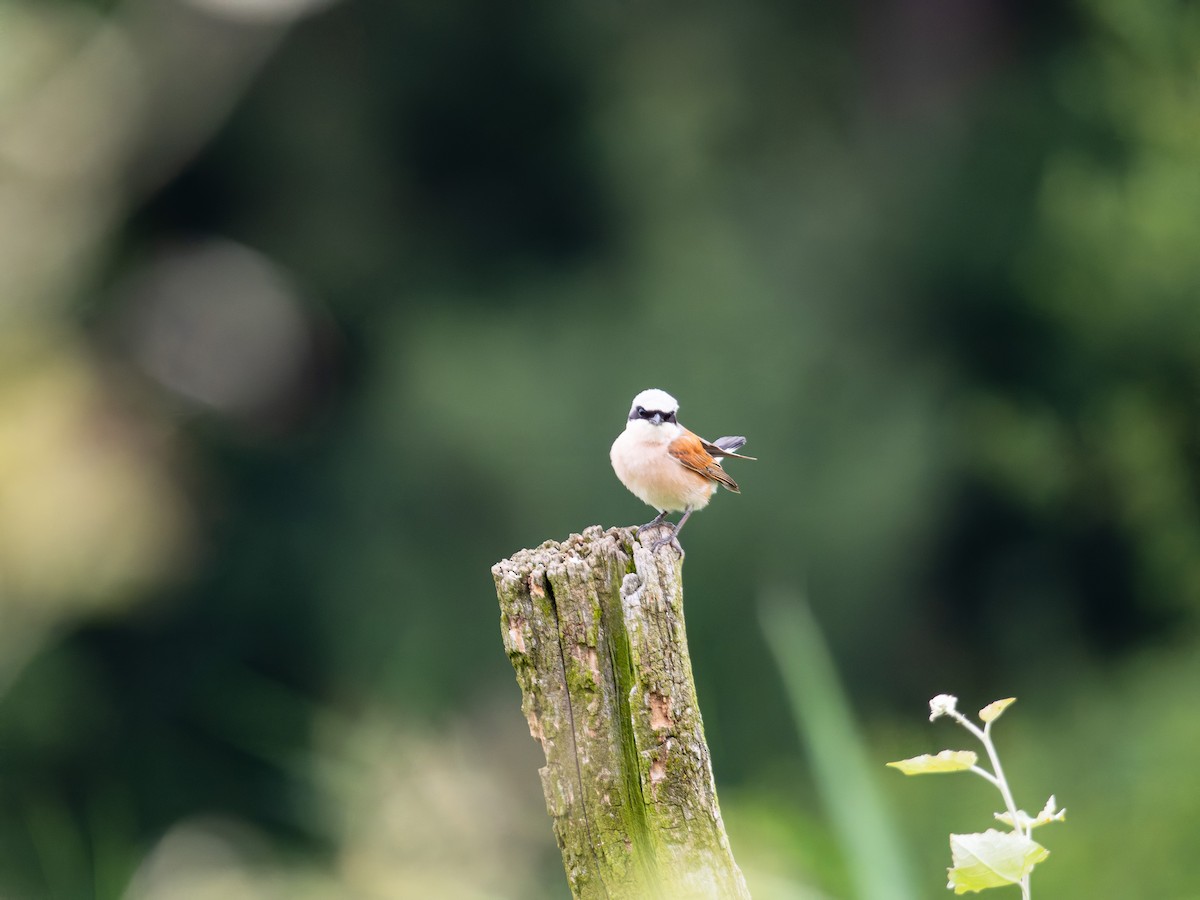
993, 859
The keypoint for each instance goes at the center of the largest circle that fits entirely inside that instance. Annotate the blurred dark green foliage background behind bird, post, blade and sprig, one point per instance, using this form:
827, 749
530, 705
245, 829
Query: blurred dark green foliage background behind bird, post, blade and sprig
311, 311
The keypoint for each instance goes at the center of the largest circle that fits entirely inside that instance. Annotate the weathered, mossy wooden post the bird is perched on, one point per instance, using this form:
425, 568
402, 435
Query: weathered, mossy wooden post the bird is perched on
595, 629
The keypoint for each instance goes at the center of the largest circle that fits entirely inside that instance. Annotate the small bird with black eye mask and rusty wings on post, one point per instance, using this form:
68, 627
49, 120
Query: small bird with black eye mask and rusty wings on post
667, 466
